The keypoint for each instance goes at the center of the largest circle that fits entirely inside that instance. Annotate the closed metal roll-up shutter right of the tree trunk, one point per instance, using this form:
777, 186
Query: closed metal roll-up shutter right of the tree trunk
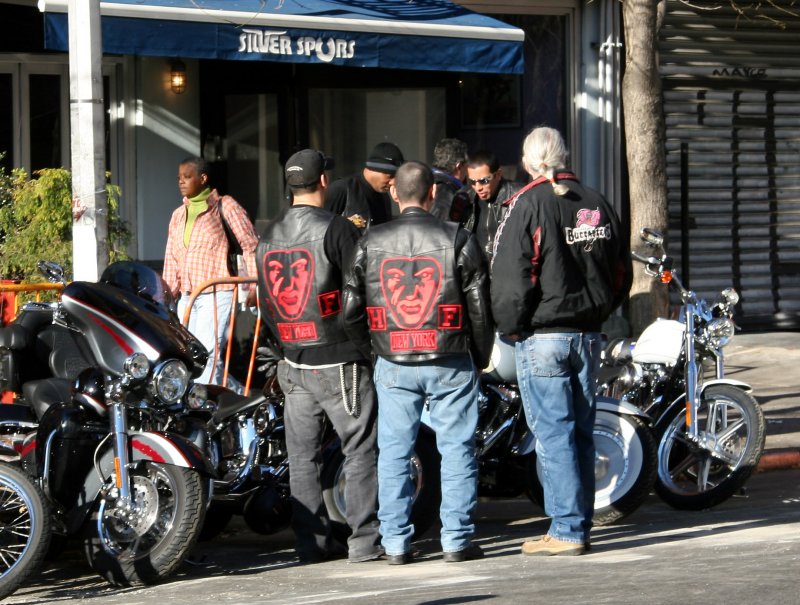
732, 108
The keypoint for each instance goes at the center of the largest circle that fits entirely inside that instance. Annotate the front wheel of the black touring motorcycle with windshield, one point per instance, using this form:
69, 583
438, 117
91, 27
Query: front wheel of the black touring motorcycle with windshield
148, 544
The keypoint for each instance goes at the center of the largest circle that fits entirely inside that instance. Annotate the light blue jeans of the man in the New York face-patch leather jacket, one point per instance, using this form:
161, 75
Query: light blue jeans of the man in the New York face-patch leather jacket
449, 386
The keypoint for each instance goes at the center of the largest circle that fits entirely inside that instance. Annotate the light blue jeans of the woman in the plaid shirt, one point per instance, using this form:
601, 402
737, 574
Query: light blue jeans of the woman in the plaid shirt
201, 324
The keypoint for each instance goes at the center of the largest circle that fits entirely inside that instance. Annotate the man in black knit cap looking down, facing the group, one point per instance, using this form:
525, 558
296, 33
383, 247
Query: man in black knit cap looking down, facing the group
363, 198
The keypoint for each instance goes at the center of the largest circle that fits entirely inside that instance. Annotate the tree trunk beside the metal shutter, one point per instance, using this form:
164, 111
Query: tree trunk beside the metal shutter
646, 151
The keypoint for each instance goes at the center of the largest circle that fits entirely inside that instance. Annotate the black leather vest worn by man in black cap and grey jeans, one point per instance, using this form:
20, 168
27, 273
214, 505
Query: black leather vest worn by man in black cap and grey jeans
299, 290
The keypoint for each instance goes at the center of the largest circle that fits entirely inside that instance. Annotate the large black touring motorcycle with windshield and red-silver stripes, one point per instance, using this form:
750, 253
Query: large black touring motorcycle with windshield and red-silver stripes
96, 375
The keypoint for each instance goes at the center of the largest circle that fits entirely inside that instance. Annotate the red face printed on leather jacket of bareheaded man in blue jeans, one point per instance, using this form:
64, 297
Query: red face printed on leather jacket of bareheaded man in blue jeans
410, 287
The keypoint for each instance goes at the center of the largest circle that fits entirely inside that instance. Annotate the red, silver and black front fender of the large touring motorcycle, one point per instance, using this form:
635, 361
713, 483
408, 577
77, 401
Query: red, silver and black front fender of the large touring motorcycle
164, 448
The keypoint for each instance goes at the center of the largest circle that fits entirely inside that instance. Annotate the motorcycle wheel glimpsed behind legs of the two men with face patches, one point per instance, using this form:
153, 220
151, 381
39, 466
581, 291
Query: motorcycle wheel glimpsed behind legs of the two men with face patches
423, 471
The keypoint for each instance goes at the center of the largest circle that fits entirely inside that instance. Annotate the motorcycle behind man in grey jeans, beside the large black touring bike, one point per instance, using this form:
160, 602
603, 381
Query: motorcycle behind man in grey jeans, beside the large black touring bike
246, 436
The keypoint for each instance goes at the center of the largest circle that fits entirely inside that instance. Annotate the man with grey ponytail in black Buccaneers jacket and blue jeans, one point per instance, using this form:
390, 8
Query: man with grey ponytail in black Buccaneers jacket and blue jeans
565, 268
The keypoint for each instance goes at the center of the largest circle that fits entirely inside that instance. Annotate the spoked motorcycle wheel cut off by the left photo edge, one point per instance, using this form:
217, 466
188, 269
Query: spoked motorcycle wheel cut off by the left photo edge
25, 529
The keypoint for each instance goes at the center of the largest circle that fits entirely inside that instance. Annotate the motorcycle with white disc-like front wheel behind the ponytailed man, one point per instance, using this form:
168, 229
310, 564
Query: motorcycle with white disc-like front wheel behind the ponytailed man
625, 460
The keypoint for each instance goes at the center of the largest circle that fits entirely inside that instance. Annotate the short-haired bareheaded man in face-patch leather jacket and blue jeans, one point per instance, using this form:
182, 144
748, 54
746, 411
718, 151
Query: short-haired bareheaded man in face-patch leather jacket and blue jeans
419, 286
